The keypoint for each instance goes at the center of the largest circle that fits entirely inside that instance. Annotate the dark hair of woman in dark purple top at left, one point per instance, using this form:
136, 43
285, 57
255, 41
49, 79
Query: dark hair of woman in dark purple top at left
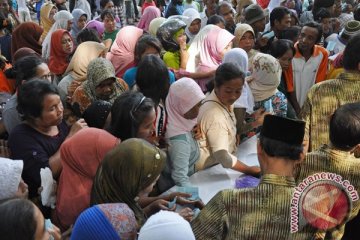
31, 96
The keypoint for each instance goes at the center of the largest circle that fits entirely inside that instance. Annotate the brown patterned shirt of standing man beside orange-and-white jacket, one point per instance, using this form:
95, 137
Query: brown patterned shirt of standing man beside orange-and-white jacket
321, 102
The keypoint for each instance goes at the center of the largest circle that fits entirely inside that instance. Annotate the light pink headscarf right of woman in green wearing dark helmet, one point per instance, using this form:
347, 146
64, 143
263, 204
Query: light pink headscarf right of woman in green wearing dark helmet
214, 43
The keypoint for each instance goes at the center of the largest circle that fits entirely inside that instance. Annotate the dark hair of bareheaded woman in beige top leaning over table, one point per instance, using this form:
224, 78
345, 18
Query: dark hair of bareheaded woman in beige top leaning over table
227, 72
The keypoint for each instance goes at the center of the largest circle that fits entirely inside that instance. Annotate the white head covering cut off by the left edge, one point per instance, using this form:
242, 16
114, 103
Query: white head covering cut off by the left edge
10, 176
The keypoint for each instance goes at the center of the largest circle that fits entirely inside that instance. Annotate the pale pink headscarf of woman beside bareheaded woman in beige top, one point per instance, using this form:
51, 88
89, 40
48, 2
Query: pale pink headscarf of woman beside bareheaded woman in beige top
183, 95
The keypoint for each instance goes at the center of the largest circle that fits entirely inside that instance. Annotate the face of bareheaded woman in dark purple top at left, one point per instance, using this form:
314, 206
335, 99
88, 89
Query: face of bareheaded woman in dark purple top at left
52, 112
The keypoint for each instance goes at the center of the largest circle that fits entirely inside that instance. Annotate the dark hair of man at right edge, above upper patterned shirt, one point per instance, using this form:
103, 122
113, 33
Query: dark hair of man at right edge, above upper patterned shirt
352, 53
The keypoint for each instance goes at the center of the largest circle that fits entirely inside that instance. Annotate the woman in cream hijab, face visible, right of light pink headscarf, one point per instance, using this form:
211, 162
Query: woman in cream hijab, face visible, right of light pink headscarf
245, 39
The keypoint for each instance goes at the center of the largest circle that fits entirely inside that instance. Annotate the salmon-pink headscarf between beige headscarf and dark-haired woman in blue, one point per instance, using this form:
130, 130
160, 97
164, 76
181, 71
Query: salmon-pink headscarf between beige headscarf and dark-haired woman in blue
121, 54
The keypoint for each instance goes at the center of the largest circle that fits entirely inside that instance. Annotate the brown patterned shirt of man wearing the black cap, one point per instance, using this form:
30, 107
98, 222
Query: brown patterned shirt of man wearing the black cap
251, 213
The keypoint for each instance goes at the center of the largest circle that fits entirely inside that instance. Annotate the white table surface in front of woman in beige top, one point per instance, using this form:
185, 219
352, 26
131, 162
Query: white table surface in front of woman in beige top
212, 180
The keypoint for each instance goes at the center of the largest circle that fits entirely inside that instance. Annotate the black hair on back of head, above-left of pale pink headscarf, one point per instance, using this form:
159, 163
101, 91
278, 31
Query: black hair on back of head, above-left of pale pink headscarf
152, 78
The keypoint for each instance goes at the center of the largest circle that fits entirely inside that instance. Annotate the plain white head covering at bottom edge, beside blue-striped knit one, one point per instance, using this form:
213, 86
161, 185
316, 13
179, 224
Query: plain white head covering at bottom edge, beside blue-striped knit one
166, 223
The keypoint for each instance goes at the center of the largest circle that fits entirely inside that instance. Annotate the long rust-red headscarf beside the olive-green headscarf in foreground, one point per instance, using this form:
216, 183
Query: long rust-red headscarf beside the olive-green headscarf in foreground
80, 157
